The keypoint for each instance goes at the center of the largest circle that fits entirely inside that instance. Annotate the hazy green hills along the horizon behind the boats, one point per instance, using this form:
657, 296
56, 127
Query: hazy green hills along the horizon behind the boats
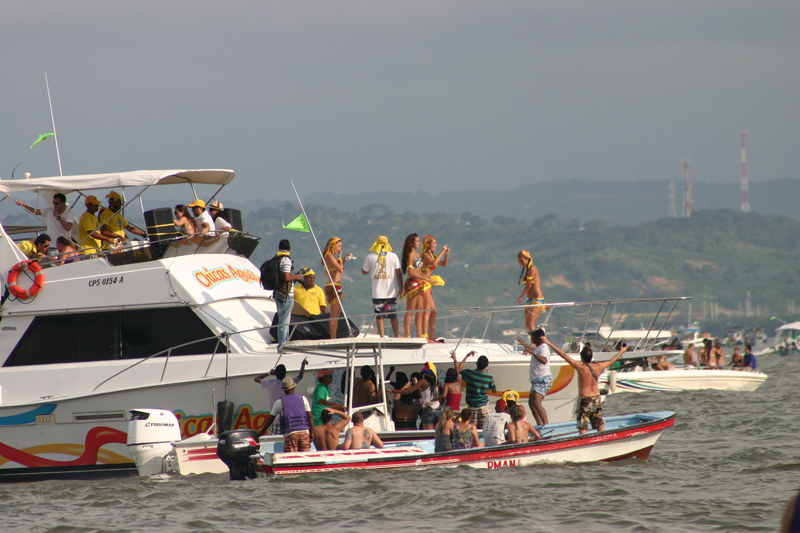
714, 256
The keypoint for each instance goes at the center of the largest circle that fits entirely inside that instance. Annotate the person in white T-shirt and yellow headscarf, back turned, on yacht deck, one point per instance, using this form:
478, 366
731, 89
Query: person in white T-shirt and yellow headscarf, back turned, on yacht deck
383, 268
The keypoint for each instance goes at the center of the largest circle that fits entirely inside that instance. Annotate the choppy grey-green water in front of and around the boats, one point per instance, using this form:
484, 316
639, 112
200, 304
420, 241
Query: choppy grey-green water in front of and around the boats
729, 464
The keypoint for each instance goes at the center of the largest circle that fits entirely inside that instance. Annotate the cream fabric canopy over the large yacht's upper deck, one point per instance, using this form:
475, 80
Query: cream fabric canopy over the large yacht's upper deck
137, 178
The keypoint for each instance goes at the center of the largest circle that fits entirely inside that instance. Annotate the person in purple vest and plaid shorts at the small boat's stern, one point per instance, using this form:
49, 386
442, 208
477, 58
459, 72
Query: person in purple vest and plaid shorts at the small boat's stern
295, 418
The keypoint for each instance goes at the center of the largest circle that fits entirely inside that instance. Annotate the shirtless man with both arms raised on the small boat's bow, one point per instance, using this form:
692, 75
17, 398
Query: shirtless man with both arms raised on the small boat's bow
590, 408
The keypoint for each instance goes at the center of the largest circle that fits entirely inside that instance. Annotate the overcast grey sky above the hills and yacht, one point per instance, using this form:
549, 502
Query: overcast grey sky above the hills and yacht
412, 95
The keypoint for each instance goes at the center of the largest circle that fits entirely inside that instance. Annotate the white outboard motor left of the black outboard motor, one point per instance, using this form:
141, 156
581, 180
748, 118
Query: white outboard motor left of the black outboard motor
150, 434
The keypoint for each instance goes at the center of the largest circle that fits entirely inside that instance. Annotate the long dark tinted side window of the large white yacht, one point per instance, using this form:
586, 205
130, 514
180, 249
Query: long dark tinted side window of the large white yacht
84, 337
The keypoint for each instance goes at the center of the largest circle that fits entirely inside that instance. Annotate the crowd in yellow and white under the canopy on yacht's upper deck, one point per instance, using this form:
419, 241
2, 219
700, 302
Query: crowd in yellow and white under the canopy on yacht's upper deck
101, 229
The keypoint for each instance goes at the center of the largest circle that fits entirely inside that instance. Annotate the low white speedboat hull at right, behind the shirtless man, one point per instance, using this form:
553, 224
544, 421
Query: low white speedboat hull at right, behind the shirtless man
680, 379
